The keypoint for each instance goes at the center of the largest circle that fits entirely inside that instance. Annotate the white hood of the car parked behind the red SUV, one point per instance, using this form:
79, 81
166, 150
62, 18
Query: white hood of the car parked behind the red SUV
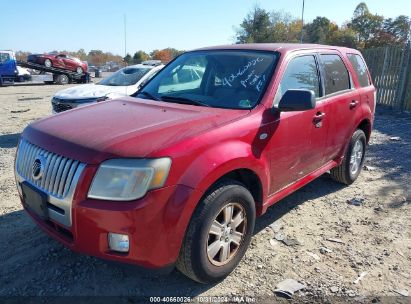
92, 91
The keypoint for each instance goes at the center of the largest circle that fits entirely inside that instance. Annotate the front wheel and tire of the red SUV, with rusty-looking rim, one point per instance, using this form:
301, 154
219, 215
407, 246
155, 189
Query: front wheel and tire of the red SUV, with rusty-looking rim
199, 259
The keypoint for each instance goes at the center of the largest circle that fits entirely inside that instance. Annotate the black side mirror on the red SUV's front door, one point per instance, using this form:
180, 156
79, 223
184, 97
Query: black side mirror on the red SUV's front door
297, 100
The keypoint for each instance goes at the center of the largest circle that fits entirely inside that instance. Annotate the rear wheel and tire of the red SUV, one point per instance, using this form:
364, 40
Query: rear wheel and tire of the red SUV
347, 172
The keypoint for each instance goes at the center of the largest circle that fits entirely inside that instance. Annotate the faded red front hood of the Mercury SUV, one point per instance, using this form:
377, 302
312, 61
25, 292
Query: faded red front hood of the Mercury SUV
126, 127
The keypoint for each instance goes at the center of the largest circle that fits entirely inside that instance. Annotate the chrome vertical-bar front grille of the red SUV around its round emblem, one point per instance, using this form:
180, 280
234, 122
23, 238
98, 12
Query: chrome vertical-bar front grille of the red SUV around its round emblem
58, 171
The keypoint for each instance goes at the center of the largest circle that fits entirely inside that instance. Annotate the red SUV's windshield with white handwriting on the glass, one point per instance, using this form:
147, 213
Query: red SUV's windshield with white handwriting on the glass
234, 79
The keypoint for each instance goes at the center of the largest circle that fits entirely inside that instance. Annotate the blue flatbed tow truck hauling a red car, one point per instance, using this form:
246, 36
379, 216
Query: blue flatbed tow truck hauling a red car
9, 71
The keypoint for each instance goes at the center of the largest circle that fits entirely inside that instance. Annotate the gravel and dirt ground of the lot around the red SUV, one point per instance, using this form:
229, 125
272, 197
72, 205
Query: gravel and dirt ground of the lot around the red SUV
374, 238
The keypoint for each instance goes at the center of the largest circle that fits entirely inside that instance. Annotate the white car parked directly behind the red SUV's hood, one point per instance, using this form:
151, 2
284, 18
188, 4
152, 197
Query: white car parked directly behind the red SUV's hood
124, 82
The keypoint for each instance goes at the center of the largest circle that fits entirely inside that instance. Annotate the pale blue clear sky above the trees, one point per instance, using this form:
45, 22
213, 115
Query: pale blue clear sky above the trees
42, 26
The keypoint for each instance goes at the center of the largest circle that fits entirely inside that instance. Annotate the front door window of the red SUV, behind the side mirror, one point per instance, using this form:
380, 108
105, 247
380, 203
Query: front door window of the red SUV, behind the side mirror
301, 73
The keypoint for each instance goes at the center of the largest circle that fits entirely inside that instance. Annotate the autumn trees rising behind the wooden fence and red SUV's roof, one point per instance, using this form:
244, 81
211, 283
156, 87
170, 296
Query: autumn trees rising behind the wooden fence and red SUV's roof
364, 30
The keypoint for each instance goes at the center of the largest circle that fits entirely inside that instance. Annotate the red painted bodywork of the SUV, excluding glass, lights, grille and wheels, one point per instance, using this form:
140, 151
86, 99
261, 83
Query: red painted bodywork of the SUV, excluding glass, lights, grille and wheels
204, 144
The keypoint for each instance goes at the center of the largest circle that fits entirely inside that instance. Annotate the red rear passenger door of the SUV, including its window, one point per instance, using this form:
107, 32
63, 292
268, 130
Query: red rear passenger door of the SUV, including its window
341, 102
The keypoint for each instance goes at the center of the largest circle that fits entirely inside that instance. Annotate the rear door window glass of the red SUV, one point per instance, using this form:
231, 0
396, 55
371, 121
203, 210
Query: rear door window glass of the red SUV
336, 75
